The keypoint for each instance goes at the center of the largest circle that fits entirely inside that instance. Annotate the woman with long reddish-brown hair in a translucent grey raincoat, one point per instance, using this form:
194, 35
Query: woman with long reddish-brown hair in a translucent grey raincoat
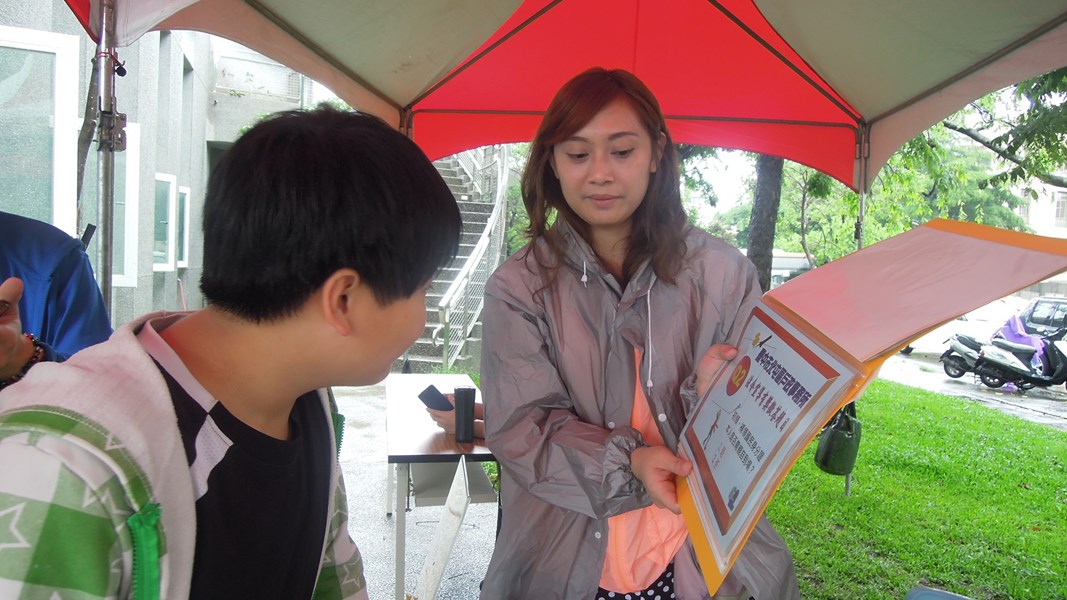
598, 339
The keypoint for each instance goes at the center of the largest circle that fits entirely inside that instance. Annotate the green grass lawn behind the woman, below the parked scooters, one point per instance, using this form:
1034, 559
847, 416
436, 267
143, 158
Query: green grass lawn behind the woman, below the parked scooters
947, 493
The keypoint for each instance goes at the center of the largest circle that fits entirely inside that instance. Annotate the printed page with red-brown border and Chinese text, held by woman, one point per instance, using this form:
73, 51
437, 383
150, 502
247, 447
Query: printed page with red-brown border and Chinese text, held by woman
757, 418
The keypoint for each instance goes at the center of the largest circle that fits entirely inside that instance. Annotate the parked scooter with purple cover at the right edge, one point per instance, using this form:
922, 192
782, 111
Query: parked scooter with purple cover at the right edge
1005, 361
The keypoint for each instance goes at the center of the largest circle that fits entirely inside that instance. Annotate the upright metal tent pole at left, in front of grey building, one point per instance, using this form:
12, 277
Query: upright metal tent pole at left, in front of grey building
113, 138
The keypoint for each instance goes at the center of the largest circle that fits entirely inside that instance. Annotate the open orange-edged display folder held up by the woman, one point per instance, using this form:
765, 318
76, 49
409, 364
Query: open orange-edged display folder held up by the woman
811, 346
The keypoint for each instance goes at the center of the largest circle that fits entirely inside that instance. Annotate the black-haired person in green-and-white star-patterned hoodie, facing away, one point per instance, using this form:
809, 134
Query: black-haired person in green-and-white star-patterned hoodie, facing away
195, 455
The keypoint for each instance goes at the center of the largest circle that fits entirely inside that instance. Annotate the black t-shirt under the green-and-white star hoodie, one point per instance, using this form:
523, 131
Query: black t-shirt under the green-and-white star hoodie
261, 502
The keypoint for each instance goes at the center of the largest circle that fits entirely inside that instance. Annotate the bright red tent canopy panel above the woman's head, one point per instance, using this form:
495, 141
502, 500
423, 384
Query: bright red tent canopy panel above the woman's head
723, 75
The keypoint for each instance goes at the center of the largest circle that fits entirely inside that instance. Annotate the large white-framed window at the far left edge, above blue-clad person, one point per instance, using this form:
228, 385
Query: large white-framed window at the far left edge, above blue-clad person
39, 71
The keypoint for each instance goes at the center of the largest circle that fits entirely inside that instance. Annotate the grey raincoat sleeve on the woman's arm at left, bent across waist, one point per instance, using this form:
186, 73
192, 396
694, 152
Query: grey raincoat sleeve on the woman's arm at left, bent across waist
531, 422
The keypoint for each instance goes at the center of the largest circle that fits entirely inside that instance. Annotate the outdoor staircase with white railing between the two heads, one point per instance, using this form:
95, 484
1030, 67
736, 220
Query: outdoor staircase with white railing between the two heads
452, 338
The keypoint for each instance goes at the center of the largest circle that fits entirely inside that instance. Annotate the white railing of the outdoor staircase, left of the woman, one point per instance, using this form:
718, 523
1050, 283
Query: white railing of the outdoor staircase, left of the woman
460, 308
